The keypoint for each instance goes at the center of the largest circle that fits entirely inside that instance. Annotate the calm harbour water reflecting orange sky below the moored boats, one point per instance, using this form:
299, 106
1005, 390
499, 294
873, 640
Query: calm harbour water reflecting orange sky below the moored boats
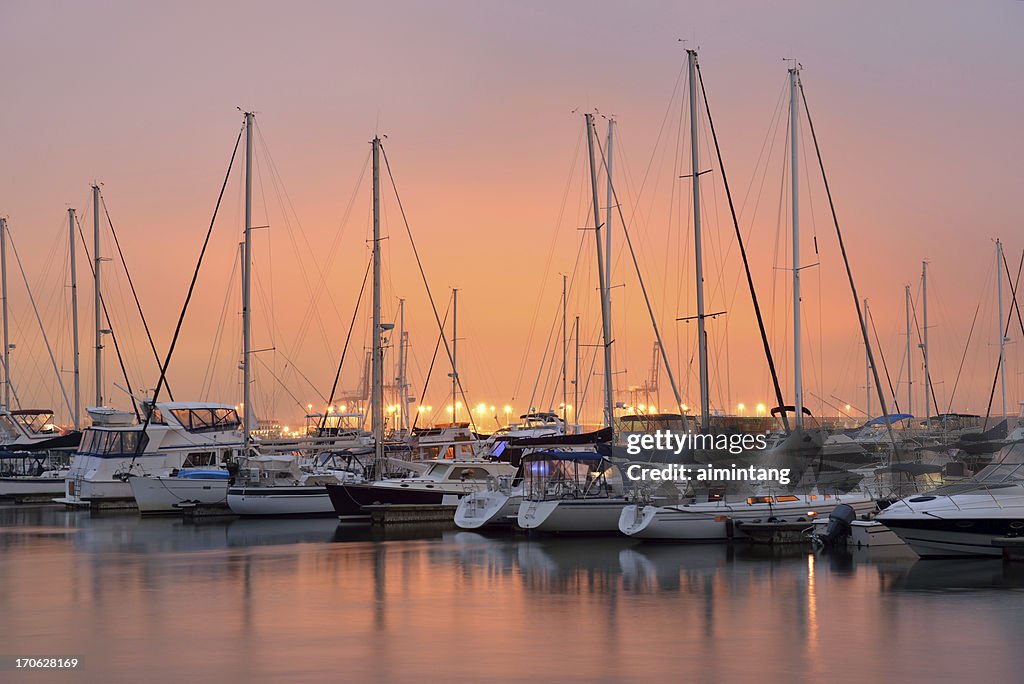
297, 602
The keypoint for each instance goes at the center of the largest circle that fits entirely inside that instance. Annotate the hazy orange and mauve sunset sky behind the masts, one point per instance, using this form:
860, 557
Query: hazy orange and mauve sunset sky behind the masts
917, 106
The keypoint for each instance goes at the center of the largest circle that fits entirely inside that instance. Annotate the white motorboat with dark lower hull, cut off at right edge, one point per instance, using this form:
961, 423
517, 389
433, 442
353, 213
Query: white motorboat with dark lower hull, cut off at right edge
964, 520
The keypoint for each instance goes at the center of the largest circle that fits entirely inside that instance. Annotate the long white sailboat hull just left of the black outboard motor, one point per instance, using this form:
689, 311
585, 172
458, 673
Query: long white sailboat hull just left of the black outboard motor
718, 522
